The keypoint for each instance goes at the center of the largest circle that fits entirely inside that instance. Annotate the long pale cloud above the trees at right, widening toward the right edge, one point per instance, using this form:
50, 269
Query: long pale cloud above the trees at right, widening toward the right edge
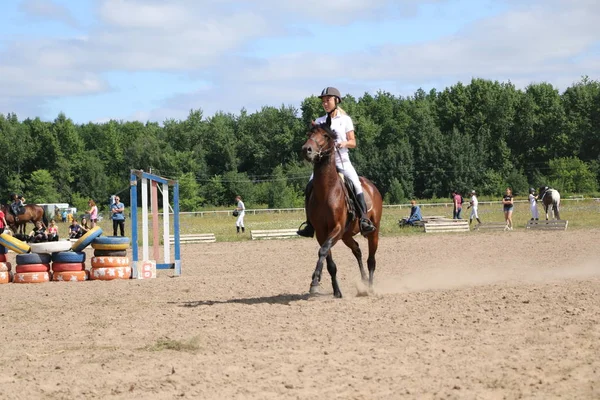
528, 41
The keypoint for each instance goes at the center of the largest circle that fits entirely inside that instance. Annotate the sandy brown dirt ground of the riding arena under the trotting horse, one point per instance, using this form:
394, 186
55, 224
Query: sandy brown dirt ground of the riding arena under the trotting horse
500, 315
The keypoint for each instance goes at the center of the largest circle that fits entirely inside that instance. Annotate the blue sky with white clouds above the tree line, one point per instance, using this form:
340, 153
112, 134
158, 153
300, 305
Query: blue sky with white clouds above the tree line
153, 60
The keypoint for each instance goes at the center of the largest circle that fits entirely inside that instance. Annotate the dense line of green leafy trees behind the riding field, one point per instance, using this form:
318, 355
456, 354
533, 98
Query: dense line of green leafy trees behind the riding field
485, 135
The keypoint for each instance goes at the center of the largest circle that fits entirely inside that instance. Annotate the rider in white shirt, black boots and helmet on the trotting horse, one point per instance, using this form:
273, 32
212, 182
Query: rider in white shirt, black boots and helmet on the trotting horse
342, 124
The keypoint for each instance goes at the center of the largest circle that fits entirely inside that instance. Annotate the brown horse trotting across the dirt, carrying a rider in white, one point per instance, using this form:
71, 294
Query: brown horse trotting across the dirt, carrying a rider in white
328, 211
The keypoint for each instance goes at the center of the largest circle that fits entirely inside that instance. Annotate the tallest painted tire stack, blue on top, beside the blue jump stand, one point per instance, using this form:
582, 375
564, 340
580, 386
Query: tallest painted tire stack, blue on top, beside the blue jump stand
110, 259
